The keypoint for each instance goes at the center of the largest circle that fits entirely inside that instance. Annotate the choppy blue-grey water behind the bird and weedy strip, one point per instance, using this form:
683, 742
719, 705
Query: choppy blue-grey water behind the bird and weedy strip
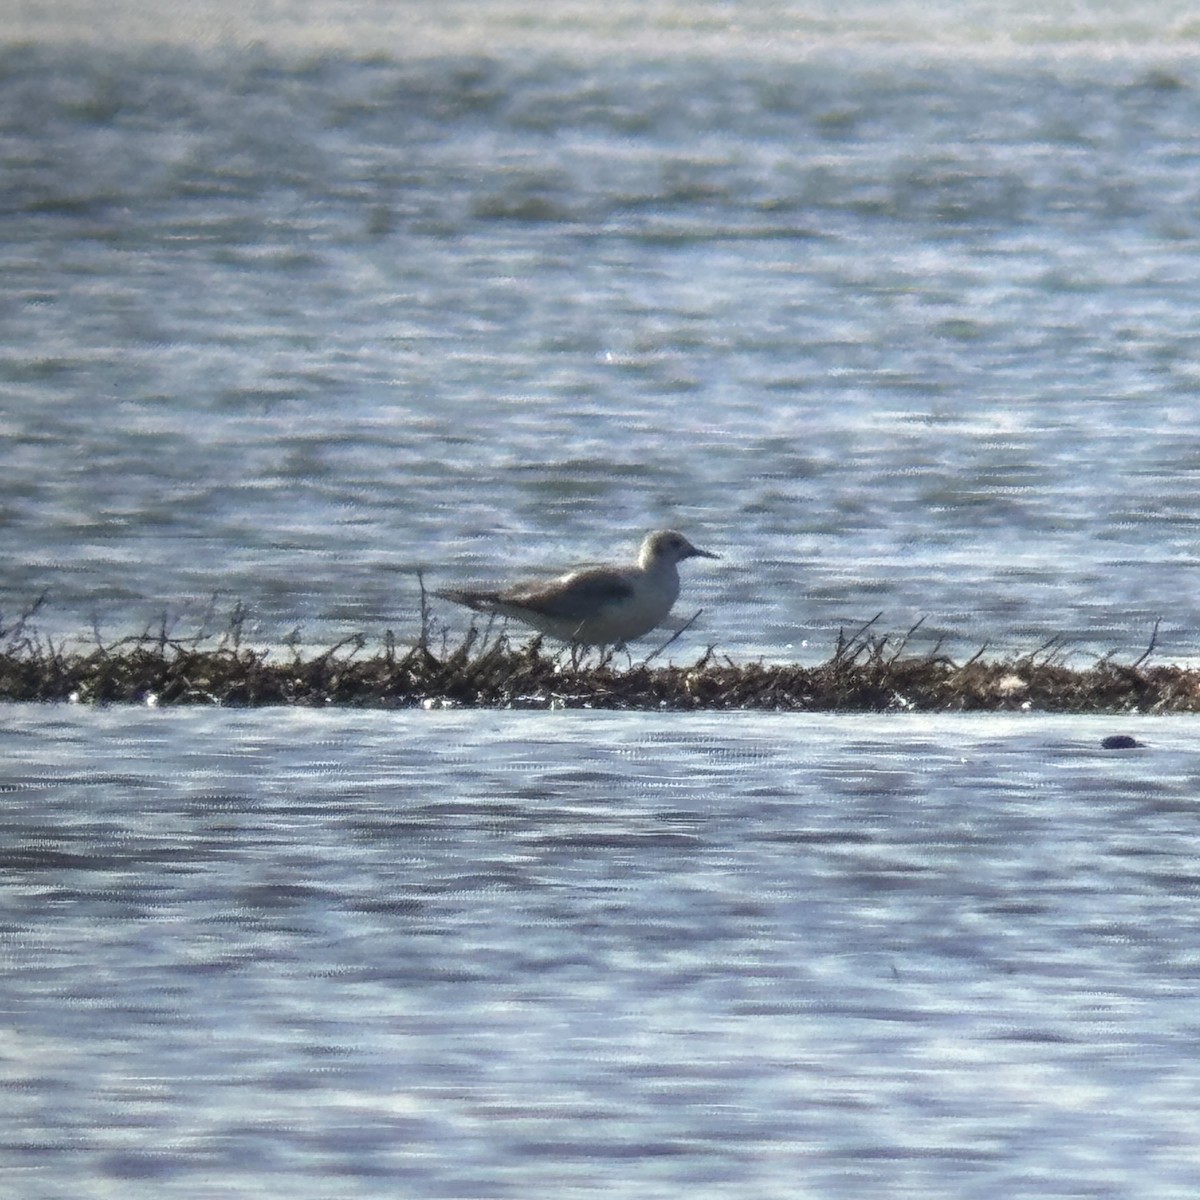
904, 331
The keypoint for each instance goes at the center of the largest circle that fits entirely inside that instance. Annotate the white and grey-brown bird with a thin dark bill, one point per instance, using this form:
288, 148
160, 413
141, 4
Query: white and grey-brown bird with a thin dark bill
596, 605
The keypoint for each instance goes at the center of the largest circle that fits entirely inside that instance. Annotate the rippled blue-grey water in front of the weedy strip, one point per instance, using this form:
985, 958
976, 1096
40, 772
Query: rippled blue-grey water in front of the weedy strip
485, 955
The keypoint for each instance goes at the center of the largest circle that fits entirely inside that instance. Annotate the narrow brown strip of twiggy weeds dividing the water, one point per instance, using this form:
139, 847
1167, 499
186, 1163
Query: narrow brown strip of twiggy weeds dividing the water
866, 674
